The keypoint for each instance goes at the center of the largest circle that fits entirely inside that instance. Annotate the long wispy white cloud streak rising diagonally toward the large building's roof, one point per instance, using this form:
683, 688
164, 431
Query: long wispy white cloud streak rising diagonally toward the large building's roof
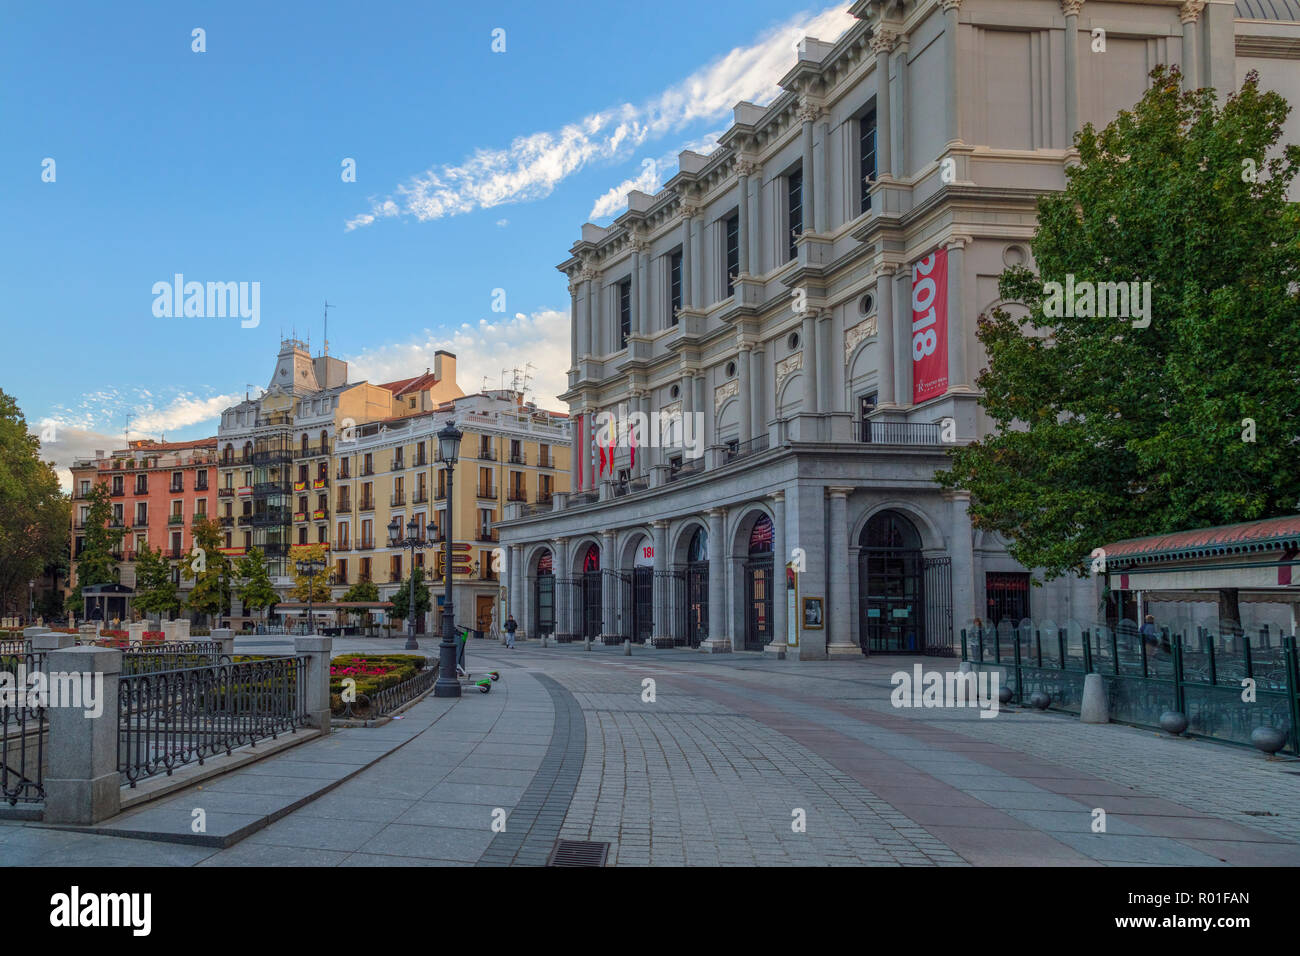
534, 165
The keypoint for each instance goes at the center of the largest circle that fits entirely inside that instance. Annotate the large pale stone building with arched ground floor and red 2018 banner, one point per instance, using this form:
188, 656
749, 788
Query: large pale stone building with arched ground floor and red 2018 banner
801, 305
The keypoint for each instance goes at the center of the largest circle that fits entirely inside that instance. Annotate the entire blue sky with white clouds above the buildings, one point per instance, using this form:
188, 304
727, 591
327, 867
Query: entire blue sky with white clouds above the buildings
475, 171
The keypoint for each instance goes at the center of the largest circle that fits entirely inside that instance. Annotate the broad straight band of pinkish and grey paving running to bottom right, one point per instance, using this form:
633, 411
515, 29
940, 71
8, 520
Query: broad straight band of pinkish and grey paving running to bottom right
970, 793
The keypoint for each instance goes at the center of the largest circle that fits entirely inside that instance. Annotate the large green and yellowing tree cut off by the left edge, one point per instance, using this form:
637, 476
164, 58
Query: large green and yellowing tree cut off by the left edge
34, 513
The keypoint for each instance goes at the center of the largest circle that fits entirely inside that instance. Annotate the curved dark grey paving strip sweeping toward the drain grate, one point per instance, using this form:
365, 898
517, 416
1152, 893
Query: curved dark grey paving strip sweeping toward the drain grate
535, 824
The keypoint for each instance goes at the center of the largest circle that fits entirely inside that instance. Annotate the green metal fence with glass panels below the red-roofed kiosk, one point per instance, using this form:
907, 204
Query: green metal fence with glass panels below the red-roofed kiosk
1227, 685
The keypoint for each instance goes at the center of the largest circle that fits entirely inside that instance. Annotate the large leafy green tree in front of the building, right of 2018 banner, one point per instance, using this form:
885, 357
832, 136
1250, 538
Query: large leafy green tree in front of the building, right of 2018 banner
1106, 430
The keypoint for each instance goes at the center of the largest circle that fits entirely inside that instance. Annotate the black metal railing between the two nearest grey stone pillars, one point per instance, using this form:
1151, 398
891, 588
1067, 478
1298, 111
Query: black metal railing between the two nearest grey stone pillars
170, 719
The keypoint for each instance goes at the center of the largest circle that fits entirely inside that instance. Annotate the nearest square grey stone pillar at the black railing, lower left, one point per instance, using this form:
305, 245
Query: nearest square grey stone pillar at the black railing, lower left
83, 782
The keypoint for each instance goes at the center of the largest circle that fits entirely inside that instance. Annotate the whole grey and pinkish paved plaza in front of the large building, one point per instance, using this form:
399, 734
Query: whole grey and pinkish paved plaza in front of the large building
723, 760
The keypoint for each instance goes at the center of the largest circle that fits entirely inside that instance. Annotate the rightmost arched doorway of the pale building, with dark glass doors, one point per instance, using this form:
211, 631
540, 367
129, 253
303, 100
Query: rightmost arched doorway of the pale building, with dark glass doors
891, 586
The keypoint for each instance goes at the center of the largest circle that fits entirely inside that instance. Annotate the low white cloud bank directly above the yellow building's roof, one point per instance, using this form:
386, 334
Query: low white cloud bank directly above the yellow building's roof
483, 351
